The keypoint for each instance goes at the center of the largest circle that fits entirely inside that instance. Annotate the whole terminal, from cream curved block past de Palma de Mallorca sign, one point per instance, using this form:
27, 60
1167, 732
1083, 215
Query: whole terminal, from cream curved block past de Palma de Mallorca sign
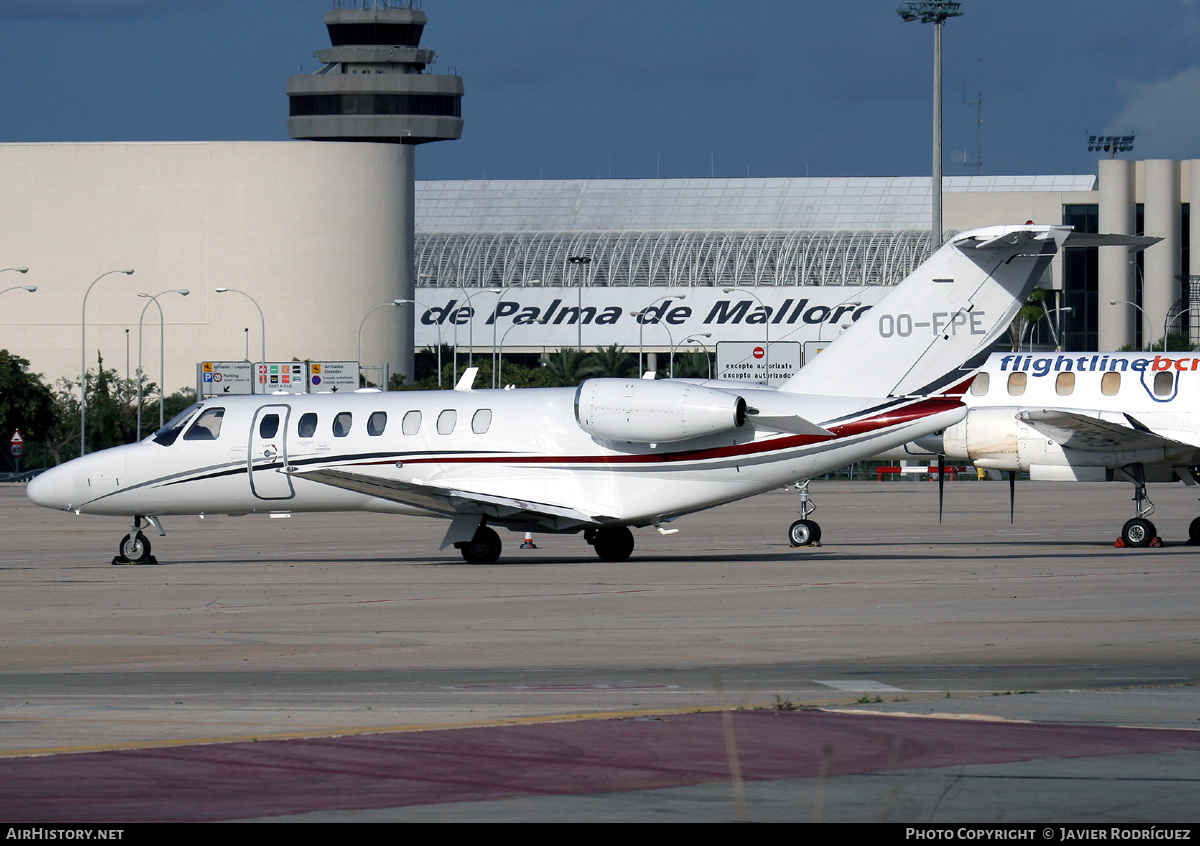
311, 233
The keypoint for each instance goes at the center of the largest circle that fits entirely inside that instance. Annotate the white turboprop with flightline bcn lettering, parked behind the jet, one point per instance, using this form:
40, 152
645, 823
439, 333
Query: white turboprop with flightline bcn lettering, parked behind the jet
1085, 417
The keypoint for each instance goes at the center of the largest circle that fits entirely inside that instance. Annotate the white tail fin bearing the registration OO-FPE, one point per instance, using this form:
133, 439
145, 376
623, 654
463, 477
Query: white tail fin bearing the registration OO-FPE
947, 313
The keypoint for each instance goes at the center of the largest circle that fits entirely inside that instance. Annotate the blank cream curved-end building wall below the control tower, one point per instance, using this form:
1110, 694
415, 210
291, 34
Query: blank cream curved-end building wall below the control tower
310, 231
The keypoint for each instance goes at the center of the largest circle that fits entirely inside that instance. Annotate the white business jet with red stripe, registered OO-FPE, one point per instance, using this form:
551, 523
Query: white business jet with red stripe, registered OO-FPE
601, 459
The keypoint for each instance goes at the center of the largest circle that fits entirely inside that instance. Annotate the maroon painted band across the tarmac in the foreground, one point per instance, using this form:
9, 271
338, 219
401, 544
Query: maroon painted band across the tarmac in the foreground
277, 778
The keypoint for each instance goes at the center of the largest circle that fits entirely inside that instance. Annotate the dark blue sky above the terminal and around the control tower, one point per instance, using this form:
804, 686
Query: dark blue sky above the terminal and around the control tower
563, 89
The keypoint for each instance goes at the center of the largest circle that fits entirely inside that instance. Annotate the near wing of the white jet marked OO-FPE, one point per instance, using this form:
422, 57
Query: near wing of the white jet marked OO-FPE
449, 502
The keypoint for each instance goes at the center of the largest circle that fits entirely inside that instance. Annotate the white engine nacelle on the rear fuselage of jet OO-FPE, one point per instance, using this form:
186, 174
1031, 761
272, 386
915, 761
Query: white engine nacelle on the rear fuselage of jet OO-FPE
649, 412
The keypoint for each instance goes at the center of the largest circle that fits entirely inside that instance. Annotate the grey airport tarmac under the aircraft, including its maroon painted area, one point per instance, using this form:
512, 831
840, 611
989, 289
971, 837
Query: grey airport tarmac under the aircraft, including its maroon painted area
340, 668
